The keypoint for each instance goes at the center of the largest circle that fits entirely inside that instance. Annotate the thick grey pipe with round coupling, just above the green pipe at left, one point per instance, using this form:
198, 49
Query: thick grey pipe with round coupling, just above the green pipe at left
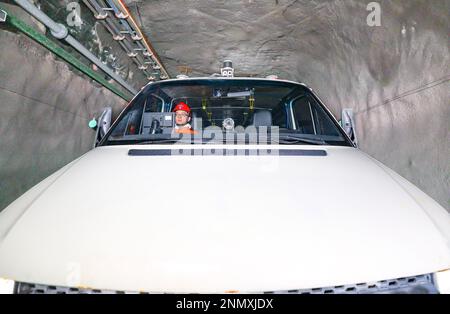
59, 31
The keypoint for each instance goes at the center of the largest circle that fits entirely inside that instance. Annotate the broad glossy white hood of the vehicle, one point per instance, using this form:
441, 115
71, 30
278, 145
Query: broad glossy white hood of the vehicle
176, 223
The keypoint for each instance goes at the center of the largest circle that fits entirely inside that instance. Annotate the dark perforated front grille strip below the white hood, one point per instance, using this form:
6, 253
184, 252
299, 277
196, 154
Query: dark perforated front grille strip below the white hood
421, 284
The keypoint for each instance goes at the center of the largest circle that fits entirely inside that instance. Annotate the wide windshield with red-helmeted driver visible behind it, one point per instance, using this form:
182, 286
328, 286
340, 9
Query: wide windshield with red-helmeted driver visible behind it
229, 111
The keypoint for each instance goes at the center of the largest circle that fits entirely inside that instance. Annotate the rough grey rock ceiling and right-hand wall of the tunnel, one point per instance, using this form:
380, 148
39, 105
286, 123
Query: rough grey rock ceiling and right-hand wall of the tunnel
395, 76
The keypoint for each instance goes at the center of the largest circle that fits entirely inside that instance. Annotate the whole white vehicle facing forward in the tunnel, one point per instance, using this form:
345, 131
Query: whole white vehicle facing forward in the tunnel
267, 194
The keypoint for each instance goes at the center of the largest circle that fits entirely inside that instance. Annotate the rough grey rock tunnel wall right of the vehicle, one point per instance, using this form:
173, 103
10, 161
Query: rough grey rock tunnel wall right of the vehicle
395, 76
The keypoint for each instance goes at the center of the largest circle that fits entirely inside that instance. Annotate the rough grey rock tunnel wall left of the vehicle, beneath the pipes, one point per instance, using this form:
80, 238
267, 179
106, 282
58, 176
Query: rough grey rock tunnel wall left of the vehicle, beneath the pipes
45, 108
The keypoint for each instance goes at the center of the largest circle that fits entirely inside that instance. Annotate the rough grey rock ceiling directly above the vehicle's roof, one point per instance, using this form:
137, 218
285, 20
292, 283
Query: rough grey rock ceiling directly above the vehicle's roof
260, 37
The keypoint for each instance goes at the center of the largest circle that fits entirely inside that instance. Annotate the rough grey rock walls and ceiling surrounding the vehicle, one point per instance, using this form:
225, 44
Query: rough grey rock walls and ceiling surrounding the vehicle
395, 77
